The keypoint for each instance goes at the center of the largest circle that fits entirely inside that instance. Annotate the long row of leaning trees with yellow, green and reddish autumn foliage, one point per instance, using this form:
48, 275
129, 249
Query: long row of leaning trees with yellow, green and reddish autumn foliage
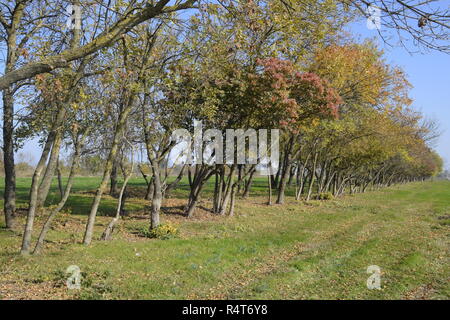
136, 71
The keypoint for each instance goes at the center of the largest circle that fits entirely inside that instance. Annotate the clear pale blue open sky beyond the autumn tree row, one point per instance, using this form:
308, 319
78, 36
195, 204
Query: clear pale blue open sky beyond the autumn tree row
428, 72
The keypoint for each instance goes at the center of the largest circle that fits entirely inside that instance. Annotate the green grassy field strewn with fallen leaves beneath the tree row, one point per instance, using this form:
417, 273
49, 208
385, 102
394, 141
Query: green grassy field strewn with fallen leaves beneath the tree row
315, 250
